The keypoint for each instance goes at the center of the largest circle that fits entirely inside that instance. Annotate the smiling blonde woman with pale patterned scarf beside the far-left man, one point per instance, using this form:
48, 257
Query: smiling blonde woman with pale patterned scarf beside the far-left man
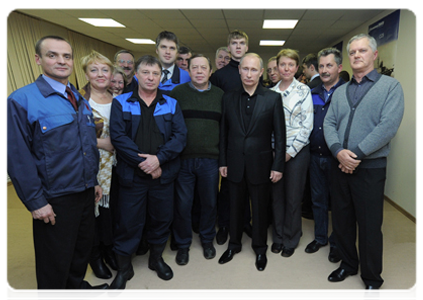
98, 71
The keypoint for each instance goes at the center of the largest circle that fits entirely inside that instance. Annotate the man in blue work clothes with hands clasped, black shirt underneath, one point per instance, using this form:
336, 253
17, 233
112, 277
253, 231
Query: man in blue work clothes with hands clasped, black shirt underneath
148, 132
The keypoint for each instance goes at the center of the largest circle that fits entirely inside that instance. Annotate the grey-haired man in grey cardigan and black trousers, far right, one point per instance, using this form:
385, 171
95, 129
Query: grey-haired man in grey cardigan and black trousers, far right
364, 116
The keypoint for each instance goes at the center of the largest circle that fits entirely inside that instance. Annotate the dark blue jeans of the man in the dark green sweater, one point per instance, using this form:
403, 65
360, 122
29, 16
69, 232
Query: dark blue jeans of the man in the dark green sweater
203, 172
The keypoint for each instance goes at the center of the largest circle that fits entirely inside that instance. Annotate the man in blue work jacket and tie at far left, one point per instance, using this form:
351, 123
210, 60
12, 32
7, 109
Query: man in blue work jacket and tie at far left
52, 159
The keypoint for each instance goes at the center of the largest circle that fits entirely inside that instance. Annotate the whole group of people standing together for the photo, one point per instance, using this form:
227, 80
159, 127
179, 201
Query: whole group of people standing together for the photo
135, 157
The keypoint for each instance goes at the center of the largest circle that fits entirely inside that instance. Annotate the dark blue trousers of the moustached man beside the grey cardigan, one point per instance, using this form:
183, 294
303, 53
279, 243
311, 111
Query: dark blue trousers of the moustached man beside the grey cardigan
319, 181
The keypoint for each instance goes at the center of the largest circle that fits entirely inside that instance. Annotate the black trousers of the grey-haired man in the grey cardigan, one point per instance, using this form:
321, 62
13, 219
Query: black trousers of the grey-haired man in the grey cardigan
358, 200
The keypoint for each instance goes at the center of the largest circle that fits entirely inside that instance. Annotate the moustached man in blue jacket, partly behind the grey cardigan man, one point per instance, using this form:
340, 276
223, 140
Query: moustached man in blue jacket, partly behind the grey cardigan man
329, 65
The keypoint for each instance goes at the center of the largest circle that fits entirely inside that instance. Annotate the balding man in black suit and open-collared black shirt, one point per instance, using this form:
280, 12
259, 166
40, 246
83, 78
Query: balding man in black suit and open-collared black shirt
249, 116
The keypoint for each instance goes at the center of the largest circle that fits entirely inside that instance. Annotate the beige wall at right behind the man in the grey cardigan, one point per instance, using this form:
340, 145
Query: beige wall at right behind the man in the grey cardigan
403, 172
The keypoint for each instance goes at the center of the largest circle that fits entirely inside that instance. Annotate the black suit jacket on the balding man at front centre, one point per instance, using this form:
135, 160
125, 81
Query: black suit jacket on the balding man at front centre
250, 149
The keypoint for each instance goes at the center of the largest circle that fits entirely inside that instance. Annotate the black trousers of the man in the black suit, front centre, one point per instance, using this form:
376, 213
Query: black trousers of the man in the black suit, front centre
259, 195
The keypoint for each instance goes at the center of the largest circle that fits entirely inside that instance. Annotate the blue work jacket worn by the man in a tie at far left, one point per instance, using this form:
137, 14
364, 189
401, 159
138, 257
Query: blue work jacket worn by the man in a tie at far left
51, 150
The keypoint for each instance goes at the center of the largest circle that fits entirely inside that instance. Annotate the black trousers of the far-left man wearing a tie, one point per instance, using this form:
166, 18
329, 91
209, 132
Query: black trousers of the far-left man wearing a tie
62, 251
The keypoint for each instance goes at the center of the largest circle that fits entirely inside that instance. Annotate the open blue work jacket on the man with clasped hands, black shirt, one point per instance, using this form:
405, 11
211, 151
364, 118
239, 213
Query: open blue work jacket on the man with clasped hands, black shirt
125, 118
